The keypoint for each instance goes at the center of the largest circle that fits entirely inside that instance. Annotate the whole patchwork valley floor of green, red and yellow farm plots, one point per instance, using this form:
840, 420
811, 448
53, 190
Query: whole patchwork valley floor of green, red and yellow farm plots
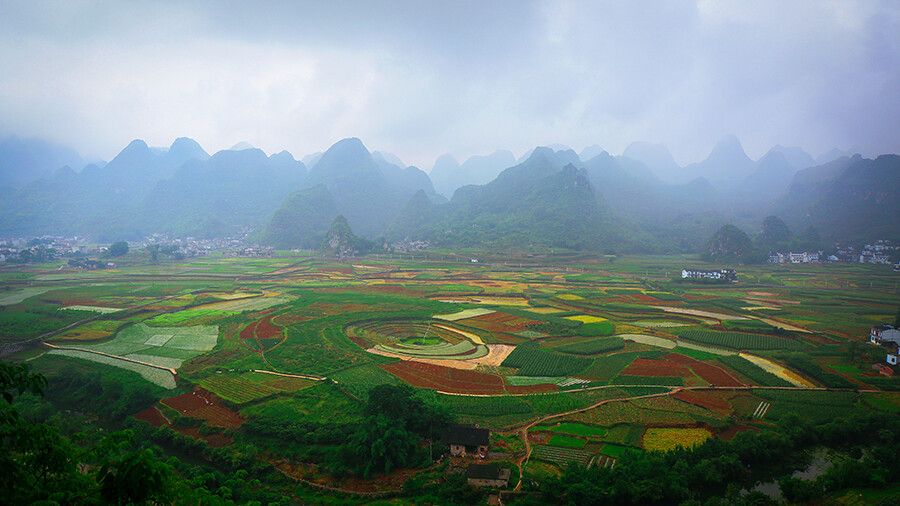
276, 357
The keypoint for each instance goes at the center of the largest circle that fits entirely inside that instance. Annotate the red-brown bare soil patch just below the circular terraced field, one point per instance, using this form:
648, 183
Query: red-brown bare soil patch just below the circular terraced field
445, 379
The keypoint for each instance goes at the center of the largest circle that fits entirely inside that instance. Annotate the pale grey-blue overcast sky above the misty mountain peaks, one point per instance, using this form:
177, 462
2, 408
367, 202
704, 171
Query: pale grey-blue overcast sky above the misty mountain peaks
420, 78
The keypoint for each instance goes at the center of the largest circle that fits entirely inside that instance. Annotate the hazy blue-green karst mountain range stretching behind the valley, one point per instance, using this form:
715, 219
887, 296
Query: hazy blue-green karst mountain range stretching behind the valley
641, 201
